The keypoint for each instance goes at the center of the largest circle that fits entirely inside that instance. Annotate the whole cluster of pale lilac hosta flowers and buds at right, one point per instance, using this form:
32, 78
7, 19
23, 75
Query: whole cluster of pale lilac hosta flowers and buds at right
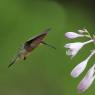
73, 49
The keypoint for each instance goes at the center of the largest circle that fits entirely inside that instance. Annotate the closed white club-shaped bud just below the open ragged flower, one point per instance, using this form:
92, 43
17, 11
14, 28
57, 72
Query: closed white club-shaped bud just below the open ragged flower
81, 67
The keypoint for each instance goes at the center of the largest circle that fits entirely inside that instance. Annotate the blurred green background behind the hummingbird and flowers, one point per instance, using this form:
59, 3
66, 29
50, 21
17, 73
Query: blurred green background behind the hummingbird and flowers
45, 71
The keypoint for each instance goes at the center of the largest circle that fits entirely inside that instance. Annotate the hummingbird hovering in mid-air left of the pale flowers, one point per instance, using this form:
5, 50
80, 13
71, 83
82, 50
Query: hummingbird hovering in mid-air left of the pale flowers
30, 45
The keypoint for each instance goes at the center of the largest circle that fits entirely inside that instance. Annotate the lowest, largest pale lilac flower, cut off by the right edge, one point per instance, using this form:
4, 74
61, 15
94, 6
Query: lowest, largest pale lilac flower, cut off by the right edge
87, 80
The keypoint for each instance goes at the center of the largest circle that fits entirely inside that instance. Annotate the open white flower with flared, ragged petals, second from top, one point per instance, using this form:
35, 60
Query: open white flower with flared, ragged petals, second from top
75, 47
